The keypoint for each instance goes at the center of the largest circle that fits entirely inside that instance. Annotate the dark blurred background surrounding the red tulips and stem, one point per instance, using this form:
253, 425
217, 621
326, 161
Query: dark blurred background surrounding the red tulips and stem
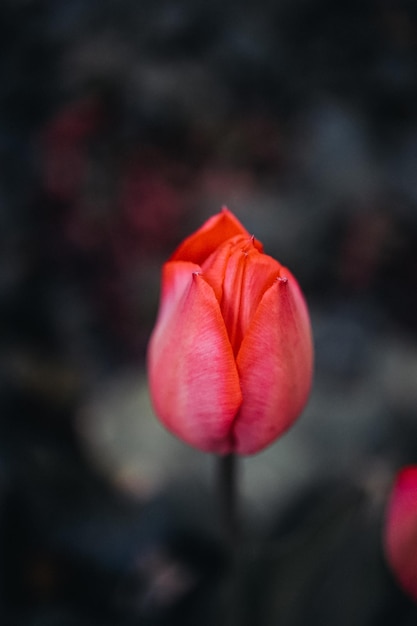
123, 125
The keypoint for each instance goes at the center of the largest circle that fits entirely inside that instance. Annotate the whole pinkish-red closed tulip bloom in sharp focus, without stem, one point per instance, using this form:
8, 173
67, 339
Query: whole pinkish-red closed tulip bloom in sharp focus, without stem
230, 358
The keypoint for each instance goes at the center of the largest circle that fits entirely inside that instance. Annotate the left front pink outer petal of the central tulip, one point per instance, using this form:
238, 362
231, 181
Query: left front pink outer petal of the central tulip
192, 372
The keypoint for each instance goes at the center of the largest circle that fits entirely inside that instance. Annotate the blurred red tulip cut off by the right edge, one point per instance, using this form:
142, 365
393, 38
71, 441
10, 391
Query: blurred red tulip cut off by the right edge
400, 536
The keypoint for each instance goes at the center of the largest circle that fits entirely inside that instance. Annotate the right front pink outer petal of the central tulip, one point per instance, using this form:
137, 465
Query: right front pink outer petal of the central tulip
275, 366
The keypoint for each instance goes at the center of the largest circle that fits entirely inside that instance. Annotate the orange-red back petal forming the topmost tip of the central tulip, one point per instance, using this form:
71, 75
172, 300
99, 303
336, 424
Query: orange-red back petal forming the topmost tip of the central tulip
197, 247
